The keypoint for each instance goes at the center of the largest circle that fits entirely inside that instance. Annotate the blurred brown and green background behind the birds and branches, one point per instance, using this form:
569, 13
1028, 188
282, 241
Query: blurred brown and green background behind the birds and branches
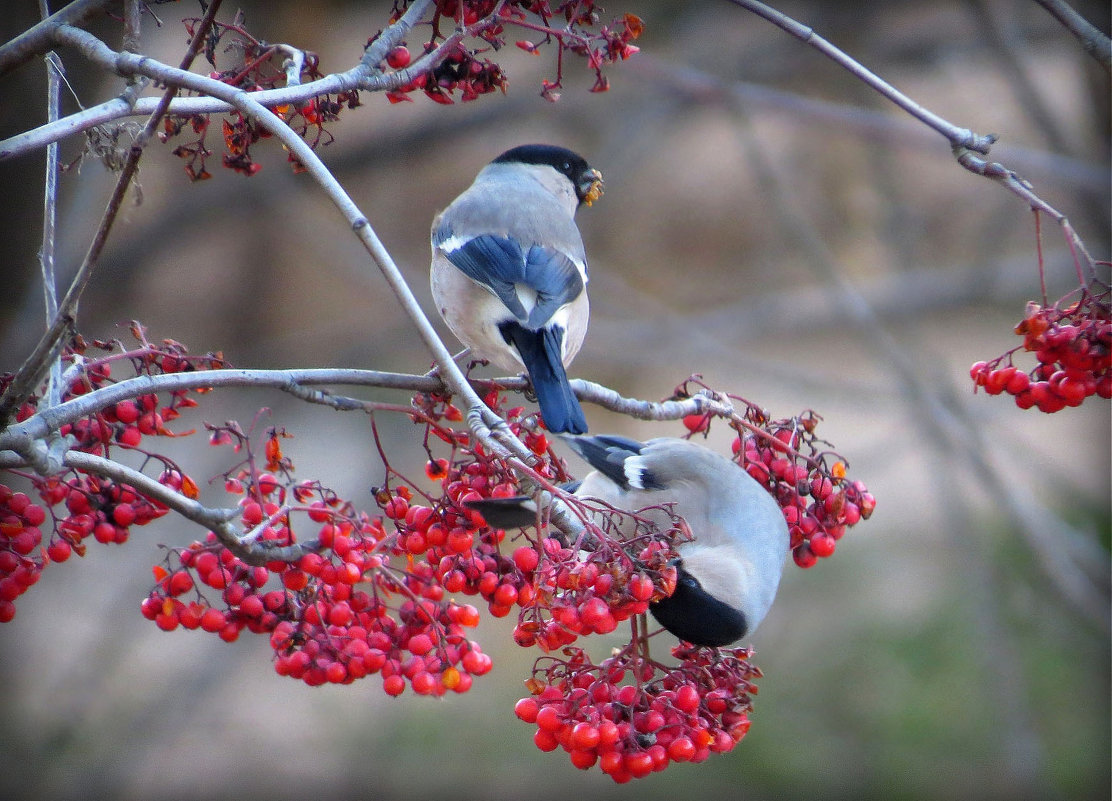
931, 658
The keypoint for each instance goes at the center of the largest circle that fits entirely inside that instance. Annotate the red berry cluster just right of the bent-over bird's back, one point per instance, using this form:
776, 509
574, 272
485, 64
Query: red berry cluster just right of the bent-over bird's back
786, 457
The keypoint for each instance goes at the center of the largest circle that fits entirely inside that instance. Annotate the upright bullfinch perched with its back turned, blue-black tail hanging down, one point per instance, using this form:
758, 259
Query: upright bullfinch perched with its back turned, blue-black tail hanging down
510, 273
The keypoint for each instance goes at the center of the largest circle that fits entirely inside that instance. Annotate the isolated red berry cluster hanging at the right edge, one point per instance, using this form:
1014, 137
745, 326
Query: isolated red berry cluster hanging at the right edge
1074, 350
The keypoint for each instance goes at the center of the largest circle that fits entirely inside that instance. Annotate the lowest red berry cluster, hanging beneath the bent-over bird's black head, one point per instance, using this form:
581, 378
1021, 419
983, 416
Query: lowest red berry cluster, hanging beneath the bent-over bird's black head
669, 715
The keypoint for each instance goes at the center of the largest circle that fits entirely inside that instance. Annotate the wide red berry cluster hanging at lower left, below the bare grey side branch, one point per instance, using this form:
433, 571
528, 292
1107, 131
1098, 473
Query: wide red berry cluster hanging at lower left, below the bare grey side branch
340, 614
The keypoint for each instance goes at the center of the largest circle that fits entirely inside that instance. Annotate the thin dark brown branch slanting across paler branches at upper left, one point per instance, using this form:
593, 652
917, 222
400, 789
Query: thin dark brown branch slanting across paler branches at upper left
49, 347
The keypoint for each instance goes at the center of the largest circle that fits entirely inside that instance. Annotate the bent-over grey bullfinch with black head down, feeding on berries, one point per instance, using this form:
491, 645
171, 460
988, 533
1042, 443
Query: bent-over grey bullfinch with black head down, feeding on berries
729, 573
